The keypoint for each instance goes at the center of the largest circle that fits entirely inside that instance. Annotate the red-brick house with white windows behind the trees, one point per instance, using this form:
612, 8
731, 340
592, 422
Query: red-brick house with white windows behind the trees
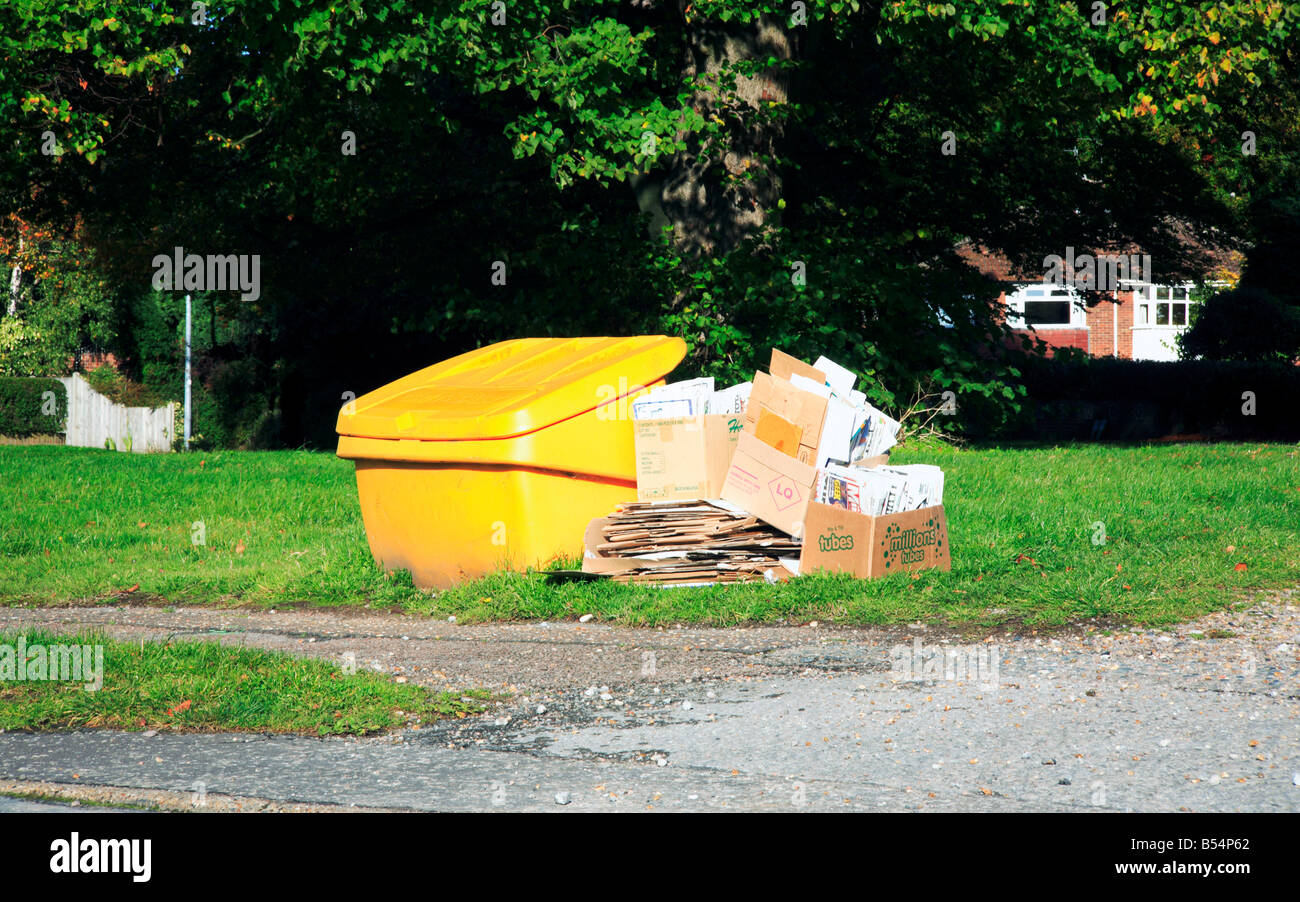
1129, 315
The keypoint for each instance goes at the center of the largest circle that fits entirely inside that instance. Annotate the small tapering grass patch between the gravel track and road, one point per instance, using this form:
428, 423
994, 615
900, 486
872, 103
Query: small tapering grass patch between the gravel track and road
198, 687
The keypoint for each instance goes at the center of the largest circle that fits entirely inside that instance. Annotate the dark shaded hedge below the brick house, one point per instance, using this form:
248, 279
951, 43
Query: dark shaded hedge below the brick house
1069, 398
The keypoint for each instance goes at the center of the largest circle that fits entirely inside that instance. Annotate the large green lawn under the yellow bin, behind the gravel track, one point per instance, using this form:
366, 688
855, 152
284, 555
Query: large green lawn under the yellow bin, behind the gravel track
1188, 530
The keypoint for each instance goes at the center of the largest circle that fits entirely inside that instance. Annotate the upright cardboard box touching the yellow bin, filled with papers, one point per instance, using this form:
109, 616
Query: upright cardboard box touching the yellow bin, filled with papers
684, 458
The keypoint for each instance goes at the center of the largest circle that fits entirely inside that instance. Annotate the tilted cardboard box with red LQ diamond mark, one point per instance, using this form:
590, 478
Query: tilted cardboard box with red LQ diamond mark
773, 487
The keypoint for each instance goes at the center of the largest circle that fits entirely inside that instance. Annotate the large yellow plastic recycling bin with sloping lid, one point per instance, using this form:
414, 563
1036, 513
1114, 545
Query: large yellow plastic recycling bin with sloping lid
500, 458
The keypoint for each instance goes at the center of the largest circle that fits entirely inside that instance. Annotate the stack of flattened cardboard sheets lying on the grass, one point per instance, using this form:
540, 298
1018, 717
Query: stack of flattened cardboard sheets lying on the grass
688, 544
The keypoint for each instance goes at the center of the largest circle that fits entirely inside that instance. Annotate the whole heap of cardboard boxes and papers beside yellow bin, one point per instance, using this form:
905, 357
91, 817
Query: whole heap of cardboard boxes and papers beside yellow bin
786, 474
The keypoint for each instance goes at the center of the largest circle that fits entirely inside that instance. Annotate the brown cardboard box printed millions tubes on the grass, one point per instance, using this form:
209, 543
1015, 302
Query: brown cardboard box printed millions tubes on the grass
842, 541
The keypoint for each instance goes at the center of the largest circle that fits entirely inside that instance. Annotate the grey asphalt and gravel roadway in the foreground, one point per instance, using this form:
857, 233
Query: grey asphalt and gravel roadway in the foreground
795, 718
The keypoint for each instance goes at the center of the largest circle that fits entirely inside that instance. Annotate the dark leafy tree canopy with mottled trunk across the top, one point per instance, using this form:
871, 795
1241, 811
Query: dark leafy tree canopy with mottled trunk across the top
743, 175
